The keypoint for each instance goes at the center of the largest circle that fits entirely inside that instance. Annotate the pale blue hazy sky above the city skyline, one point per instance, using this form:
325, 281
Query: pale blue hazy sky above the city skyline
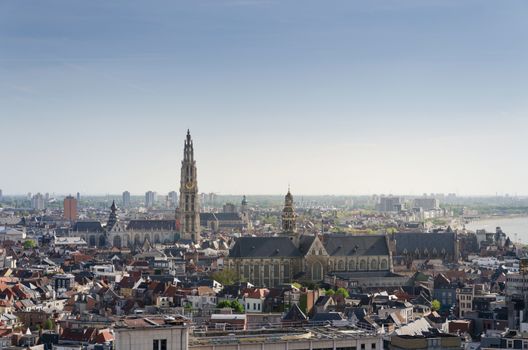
329, 97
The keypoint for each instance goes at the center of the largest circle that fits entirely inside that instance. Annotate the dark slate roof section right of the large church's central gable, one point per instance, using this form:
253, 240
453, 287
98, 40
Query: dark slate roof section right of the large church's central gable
352, 245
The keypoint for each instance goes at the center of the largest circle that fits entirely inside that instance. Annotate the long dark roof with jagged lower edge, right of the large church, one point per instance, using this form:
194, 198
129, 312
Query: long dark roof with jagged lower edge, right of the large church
411, 241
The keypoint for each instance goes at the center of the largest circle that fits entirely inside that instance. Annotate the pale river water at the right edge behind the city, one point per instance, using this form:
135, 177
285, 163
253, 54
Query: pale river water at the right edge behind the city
515, 228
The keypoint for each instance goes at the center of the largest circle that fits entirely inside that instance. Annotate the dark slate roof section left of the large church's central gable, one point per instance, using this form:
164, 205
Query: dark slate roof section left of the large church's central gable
263, 247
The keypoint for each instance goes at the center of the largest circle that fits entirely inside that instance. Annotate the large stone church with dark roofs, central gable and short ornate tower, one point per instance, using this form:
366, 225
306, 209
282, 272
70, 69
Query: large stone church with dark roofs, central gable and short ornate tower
290, 256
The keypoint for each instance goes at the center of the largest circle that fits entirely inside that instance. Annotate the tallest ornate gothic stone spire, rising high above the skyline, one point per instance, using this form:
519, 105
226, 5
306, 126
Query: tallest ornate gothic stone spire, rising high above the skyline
189, 200
